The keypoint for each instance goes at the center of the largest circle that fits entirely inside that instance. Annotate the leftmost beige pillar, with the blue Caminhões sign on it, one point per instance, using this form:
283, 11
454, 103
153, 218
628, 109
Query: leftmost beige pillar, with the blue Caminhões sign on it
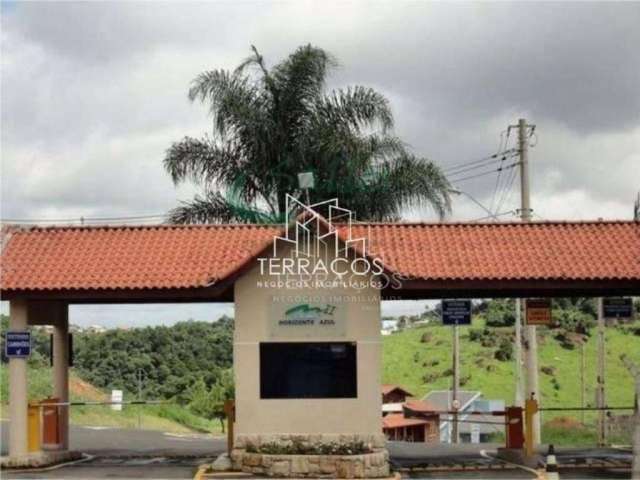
18, 321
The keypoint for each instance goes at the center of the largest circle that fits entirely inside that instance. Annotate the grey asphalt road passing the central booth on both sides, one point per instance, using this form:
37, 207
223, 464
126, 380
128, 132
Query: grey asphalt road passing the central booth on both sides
129, 453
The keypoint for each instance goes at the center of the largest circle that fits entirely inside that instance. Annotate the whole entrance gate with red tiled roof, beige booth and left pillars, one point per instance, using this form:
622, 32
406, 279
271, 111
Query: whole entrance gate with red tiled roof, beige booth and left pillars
44, 270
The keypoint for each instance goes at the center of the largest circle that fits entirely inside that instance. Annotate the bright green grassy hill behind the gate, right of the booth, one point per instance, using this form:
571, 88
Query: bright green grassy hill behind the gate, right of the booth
422, 366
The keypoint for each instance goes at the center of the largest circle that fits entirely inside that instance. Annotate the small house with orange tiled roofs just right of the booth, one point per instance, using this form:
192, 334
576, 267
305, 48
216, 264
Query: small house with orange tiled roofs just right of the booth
406, 419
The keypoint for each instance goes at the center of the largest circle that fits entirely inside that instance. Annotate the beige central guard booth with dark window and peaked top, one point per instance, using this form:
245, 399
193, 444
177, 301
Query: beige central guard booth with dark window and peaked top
307, 345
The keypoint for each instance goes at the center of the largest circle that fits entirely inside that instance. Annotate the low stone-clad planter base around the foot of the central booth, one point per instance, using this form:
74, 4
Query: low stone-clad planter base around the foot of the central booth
366, 465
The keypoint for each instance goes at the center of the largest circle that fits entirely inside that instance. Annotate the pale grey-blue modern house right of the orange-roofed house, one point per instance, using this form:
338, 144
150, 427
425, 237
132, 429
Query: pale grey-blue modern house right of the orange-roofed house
470, 401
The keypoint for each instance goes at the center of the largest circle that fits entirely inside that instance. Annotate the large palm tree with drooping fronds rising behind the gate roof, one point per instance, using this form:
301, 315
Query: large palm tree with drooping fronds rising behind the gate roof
269, 124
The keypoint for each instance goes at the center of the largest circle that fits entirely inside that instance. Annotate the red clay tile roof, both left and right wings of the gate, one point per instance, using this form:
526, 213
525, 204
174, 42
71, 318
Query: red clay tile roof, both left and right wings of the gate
168, 257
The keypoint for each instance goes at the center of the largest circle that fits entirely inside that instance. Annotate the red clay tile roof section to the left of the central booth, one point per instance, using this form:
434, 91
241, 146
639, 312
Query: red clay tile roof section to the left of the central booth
158, 257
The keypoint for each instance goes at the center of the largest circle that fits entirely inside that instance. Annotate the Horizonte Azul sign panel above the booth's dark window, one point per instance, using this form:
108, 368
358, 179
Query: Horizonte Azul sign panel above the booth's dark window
307, 319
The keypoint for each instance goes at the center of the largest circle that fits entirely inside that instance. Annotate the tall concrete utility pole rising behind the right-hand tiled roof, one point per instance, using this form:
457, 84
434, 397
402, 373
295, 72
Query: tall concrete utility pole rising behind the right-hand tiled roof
531, 341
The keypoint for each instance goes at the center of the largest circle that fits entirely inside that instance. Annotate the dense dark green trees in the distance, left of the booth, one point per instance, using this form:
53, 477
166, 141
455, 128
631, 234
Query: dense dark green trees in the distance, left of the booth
188, 363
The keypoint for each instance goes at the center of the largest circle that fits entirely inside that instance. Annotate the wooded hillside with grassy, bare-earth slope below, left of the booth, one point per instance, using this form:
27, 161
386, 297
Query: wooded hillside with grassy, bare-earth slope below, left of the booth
187, 365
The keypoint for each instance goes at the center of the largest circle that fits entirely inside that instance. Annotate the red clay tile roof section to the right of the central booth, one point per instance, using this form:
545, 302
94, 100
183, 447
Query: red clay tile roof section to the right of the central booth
539, 250
